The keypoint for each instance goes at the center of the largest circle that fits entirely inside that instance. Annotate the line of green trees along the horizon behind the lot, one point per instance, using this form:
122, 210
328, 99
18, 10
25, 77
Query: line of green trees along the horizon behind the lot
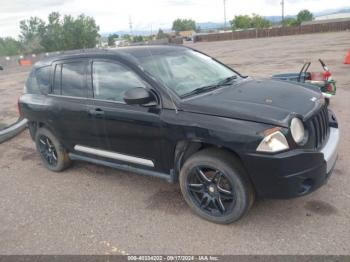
68, 32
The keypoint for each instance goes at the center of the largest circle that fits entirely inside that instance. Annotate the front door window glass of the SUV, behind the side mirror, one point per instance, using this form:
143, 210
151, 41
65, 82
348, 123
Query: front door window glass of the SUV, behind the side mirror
111, 81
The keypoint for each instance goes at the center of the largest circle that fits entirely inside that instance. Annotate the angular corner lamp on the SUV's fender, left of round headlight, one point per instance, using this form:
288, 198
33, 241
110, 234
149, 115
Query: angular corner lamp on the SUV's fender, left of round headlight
273, 142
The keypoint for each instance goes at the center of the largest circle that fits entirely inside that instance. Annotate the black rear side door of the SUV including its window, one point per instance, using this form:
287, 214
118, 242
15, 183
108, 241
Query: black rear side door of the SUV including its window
69, 115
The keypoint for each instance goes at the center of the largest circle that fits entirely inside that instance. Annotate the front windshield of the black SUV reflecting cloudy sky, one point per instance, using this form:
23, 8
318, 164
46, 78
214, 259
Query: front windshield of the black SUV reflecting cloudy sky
186, 71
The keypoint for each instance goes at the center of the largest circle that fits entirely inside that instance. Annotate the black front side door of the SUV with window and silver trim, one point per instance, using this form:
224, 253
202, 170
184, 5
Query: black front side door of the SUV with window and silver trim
132, 133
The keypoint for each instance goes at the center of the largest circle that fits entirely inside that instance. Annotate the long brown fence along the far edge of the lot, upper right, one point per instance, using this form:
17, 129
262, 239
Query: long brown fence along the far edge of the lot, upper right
272, 32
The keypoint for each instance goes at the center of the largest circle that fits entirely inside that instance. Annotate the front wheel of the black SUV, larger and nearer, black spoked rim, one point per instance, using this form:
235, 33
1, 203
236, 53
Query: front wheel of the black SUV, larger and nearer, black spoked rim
229, 194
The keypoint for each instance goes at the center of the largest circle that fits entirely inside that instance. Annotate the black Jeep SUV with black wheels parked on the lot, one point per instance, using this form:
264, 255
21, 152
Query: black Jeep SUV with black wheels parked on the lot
178, 114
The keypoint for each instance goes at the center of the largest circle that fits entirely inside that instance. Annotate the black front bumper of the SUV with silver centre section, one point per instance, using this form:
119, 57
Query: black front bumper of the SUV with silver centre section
293, 173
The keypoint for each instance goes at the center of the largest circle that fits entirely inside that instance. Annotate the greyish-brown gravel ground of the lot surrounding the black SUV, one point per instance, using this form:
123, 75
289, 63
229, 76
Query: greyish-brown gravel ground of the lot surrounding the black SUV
96, 210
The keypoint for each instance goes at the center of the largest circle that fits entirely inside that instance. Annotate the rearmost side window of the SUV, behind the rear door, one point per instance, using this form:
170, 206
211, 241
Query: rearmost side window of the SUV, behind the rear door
38, 81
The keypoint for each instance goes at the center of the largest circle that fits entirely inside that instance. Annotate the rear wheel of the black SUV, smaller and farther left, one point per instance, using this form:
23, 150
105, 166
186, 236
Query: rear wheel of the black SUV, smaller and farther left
51, 151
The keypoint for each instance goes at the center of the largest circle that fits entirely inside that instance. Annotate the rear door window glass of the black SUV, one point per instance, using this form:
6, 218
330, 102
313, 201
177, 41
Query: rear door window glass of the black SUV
73, 79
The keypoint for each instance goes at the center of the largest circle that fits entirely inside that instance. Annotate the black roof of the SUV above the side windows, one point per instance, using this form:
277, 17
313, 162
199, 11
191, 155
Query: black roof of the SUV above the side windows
134, 51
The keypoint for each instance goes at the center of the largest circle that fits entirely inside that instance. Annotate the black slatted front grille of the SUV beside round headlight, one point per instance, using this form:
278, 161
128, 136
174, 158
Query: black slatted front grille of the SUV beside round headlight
318, 126
